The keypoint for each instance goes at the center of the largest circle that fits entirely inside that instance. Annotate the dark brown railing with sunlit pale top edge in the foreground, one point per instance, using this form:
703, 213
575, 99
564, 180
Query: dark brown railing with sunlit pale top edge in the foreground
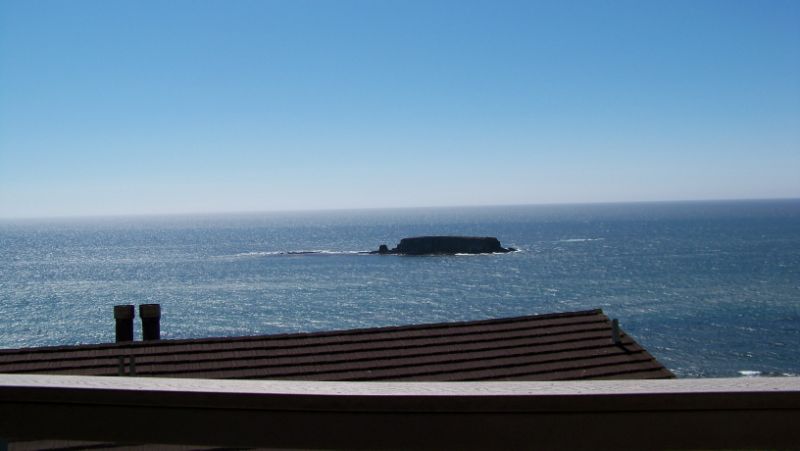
682, 413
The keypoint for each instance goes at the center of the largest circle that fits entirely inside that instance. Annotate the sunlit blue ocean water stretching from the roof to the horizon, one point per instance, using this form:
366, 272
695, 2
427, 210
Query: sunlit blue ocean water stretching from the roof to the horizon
710, 288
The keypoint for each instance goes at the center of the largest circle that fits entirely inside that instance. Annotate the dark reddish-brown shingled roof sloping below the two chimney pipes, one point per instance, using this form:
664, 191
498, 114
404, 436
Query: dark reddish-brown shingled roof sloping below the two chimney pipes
561, 346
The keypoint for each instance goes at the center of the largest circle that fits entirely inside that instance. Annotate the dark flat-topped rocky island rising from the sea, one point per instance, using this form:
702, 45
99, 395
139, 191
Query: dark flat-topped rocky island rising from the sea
445, 245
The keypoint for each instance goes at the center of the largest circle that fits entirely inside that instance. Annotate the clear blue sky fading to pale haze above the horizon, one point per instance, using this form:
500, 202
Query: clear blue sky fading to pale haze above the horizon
135, 107
